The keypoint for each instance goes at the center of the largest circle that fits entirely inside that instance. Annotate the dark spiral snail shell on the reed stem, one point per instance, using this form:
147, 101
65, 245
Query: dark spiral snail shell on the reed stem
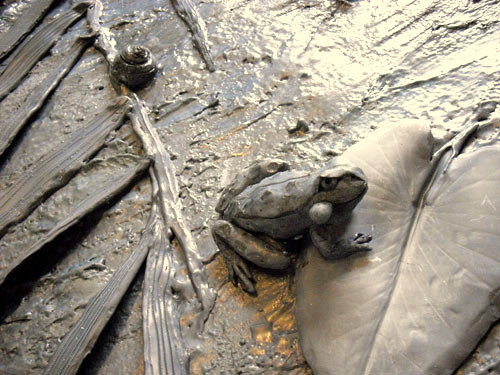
135, 67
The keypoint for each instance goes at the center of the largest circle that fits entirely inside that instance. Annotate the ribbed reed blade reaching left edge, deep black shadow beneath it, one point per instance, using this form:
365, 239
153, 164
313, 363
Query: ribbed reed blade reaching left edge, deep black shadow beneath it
86, 191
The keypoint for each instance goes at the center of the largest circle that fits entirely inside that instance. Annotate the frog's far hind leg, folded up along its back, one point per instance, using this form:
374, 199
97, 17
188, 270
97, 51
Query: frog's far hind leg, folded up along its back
251, 175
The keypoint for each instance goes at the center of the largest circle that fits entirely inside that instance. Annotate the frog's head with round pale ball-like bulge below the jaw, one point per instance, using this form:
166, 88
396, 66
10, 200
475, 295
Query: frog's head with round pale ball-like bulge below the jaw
339, 189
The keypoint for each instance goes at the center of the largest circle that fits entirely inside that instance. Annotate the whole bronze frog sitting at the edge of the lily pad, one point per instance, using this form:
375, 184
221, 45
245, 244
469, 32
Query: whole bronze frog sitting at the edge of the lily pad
268, 203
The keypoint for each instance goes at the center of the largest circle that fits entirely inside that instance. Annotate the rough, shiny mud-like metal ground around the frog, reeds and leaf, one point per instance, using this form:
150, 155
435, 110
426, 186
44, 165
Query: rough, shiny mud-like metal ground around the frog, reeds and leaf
340, 70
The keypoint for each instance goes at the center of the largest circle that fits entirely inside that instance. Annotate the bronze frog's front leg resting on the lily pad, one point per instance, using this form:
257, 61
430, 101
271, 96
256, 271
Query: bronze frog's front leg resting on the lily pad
341, 248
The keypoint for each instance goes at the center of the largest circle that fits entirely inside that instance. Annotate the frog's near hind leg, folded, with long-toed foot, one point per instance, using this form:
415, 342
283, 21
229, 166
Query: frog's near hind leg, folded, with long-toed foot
237, 244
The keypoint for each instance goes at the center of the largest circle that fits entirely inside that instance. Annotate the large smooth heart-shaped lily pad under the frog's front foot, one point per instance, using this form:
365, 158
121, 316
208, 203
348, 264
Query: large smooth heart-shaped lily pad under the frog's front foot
429, 290
